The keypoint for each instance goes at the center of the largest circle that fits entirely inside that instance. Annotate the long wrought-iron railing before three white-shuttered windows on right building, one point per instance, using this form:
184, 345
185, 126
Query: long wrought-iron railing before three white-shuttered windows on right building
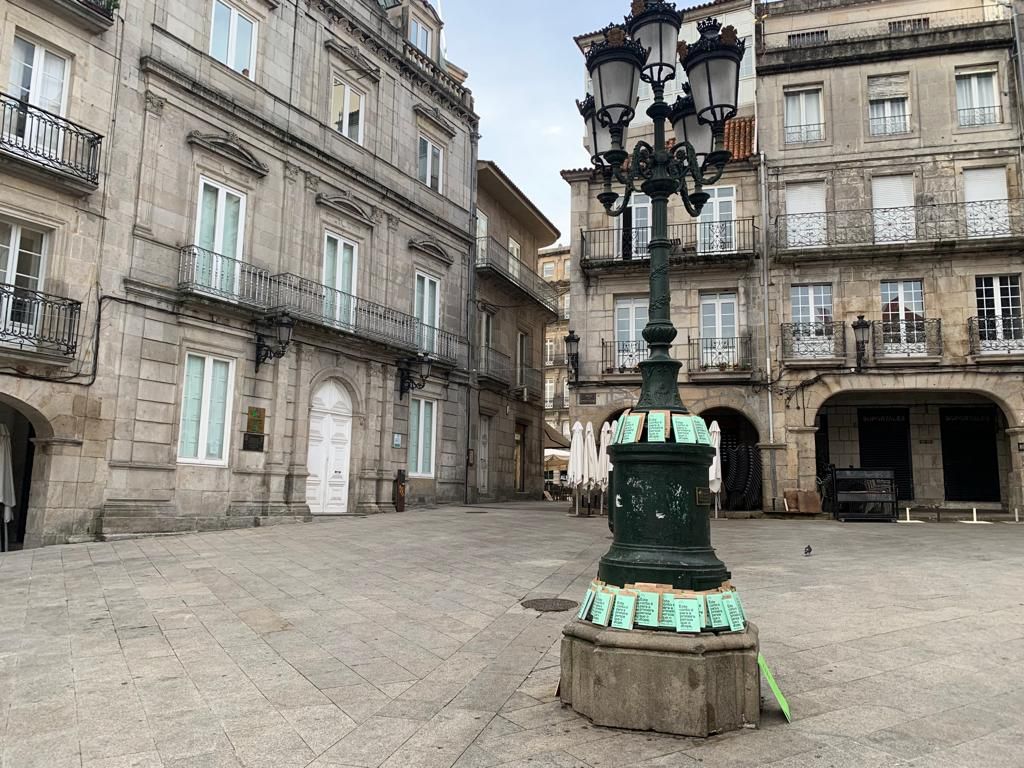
990, 219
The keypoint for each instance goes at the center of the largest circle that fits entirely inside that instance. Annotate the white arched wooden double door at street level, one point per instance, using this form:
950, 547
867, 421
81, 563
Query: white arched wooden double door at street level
330, 451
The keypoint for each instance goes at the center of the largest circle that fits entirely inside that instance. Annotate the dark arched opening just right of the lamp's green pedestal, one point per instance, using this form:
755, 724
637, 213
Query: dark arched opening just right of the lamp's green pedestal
741, 460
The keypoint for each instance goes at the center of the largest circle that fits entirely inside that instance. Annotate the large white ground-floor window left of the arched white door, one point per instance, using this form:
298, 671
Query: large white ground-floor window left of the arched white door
205, 410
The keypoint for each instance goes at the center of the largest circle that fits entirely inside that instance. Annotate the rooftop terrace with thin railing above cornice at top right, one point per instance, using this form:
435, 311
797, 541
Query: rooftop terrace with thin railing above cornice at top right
787, 47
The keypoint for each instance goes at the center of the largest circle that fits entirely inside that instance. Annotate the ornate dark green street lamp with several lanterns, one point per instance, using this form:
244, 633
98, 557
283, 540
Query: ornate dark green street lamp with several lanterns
661, 499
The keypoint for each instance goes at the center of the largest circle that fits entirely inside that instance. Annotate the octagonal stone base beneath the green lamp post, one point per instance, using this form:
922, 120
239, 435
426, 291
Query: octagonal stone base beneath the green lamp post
662, 681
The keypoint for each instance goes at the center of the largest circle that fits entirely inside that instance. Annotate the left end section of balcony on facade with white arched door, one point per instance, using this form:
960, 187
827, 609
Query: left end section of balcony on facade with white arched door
208, 275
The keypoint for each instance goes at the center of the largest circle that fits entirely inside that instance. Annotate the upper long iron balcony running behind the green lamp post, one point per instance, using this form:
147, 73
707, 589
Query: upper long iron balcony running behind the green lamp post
695, 242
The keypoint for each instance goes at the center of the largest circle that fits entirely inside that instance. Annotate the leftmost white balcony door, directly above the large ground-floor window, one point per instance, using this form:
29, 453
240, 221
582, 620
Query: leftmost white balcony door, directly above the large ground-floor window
220, 227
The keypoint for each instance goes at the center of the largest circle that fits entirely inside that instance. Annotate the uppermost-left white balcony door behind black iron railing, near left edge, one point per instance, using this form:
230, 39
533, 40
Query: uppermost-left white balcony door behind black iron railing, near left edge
39, 79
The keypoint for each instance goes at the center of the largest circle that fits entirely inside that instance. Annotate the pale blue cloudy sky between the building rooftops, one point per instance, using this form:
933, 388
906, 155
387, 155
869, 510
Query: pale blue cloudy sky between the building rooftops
526, 73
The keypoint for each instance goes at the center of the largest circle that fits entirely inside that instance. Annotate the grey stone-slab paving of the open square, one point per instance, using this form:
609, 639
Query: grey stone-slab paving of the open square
400, 642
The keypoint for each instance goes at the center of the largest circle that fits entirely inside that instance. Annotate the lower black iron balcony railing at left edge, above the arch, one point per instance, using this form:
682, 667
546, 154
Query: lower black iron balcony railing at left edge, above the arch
35, 322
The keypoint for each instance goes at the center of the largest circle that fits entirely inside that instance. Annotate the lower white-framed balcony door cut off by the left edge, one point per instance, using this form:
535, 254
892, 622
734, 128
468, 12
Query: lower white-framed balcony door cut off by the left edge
21, 276
